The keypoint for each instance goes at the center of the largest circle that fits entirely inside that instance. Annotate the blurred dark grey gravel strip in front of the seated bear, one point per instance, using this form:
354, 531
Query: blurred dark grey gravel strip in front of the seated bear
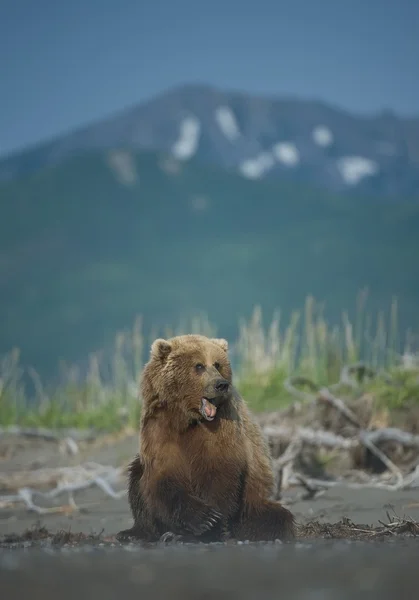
319, 570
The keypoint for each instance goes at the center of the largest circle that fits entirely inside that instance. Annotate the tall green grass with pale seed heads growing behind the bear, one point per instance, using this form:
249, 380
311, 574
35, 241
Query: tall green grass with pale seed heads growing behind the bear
105, 397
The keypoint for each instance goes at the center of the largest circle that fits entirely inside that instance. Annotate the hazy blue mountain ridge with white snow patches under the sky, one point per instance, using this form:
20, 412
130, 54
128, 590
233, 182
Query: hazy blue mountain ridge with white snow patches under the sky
258, 137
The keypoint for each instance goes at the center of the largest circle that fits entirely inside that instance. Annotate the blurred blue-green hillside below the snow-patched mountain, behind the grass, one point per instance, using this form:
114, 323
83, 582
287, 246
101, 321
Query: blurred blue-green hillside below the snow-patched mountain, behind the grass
87, 245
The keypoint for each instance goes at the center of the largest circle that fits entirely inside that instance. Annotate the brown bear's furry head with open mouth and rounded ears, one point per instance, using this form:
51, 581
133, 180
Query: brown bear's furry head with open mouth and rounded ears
188, 375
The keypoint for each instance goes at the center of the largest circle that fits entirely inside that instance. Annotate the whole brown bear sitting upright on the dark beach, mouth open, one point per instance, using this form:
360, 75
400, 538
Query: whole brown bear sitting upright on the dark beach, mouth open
203, 472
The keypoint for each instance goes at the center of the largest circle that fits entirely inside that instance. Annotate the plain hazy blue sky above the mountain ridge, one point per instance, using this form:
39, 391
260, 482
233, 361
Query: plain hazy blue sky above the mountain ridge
65, 63
